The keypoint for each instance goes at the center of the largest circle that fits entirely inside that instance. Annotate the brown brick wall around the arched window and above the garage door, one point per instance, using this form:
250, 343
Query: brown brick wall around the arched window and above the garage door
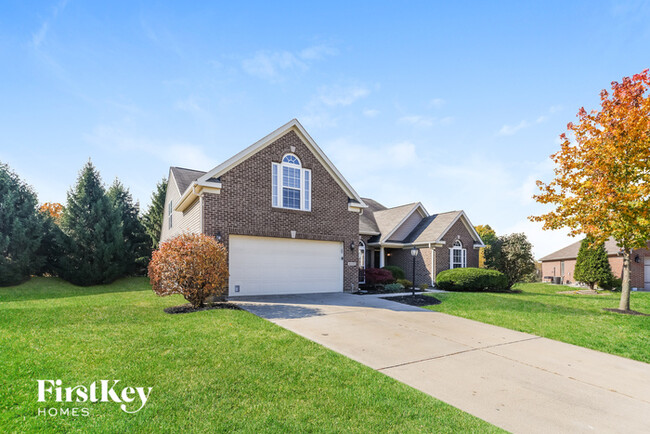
244, 205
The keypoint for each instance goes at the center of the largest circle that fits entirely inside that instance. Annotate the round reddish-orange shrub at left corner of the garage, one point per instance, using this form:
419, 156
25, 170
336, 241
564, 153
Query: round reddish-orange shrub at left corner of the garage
193, 265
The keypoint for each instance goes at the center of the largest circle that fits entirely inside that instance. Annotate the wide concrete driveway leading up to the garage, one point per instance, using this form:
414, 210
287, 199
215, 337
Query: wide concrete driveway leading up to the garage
518, 381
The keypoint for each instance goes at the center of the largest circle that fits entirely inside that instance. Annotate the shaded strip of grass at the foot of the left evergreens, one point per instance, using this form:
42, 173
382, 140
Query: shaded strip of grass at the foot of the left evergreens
43, 288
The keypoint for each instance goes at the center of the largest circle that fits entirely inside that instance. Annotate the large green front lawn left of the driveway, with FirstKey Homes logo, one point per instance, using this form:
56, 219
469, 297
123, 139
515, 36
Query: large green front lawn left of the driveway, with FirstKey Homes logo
218, 370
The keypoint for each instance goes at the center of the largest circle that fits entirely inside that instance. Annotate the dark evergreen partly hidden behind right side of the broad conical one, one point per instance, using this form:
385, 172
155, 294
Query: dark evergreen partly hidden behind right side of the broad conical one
137, 251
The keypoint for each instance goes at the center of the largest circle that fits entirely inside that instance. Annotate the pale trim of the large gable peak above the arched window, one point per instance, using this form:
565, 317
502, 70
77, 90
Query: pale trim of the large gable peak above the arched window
307, 140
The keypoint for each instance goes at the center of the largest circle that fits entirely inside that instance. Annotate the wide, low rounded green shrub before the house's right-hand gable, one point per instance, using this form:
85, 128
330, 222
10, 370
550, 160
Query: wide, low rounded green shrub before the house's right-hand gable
471, 279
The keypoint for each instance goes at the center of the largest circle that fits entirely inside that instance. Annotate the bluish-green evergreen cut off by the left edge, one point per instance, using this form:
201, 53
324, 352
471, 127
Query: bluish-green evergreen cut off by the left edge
20, 229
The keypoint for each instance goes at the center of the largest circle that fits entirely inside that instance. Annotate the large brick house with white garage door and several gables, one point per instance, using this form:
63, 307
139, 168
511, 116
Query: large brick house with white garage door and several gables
293, 224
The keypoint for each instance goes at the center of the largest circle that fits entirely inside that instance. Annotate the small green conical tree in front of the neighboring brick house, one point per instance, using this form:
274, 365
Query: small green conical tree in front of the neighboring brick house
592, 265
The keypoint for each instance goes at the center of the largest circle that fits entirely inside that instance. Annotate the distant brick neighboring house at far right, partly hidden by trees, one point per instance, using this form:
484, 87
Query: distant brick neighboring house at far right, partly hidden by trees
562, 263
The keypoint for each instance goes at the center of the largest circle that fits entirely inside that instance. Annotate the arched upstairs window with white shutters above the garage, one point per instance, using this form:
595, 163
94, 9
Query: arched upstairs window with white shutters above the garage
291, 184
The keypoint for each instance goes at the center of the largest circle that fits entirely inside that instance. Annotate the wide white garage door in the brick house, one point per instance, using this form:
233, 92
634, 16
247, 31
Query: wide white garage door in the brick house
260, 265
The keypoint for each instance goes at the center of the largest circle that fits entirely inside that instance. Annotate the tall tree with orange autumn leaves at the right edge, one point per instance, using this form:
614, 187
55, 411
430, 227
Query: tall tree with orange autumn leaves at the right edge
602, 177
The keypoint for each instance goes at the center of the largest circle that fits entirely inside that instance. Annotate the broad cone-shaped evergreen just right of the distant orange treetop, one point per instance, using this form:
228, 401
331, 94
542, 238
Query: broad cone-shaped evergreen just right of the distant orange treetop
93, 241
